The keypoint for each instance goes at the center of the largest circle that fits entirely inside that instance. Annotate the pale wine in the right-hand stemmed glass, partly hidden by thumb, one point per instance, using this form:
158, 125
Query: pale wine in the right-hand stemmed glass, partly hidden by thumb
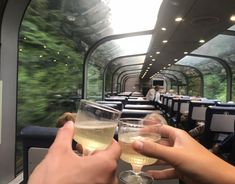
131, 156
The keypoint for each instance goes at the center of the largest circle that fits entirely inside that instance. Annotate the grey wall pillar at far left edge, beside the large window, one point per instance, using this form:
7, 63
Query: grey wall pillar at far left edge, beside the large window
9, 51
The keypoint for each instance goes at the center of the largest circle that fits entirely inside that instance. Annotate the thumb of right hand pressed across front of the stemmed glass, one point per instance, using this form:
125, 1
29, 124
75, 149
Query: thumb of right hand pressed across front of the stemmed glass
155, 150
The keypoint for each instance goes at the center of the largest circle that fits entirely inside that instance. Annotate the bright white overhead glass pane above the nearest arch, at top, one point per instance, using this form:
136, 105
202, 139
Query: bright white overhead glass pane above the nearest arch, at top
132, 15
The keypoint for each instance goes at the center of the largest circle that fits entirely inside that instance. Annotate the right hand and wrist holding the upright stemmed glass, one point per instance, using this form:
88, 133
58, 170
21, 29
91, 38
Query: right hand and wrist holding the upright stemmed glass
191, 162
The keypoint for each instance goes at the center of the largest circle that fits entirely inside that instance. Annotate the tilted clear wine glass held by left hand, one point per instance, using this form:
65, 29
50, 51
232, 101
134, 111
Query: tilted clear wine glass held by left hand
95, 126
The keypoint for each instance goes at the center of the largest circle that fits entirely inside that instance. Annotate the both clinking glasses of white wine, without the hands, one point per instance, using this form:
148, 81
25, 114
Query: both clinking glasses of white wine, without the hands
95, 126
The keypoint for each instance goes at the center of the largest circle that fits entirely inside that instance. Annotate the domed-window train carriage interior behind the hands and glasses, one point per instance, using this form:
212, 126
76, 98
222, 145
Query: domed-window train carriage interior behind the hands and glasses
53, 53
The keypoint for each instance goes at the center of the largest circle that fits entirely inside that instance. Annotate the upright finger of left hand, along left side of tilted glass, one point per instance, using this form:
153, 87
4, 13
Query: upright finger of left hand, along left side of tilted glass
65, 135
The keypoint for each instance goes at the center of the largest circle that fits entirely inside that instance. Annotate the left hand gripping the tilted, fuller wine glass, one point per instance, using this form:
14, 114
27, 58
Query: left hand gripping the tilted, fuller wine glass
62, 165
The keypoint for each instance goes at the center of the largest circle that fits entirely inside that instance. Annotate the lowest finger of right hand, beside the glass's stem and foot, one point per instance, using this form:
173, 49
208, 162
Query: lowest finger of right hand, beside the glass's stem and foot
163, 174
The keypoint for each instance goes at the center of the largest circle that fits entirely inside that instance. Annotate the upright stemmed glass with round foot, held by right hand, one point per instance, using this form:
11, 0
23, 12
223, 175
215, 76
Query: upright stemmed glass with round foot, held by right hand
131, 129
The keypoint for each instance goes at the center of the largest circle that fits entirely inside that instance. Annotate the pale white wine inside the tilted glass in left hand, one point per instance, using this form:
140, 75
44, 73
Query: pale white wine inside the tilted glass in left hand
94, 135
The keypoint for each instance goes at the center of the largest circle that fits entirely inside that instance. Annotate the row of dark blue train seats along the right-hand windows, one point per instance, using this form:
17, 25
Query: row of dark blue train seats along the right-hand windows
219, 119
